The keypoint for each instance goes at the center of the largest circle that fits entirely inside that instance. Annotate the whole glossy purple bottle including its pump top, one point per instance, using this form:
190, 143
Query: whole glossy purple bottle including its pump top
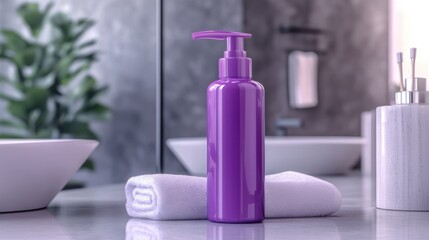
235, 136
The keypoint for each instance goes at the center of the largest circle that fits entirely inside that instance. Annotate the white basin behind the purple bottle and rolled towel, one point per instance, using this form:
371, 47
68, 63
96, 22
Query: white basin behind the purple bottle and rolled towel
310, 155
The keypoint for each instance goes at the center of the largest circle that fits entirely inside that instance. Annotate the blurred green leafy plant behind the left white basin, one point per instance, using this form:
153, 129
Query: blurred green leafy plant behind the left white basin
50, 93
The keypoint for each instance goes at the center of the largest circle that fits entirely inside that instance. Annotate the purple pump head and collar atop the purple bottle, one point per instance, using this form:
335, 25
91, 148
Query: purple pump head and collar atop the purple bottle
235, 63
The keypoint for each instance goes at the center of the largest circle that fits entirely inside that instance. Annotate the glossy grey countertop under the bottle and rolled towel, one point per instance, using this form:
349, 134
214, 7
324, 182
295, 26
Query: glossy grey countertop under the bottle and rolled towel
99, 213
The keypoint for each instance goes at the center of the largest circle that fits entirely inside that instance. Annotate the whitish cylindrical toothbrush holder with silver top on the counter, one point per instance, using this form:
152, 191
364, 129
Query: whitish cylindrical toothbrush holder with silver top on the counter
402, 150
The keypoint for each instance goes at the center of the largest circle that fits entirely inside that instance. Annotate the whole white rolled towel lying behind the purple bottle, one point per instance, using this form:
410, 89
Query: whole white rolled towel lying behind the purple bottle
175, 197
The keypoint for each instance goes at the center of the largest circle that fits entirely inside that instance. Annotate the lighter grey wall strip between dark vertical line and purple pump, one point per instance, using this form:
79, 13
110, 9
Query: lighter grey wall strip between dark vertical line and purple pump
190, 65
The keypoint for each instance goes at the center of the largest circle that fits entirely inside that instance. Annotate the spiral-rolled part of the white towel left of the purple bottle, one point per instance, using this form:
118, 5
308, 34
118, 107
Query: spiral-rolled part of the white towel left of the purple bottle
166, 196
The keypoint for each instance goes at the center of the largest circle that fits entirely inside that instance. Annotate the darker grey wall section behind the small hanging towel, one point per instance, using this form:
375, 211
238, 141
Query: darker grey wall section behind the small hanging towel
352, 66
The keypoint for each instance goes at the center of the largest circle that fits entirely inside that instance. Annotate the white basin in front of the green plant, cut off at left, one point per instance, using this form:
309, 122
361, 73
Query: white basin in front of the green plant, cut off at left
33, 171
